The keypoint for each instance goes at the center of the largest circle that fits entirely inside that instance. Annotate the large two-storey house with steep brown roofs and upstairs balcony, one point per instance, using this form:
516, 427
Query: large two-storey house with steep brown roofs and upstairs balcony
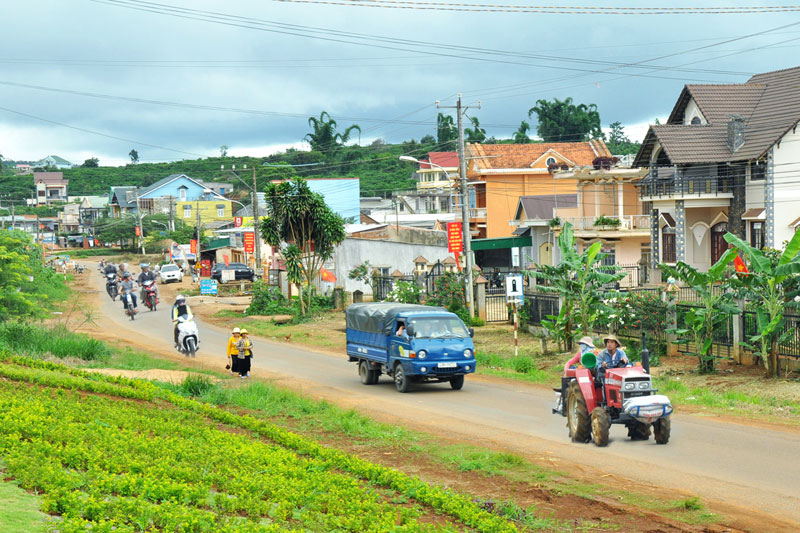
724, 161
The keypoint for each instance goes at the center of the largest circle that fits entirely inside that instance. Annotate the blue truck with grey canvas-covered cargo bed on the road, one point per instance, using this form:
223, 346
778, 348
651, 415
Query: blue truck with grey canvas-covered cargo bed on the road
409, 343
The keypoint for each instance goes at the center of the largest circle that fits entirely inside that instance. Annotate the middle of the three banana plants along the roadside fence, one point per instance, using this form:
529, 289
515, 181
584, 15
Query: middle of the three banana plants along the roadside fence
716, 305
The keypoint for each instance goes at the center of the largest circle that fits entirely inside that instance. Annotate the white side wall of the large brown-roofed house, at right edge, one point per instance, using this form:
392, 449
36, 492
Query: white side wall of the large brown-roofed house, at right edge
787, 186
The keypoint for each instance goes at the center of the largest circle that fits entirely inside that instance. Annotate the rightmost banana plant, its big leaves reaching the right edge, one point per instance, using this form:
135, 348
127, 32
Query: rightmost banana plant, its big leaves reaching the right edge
766, 286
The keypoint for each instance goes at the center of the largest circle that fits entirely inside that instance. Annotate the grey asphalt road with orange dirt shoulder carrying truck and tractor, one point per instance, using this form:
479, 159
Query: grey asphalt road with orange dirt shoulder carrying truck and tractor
743, 469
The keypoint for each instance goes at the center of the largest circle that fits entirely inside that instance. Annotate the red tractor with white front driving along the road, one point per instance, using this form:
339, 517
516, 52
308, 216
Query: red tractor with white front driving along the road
592, 399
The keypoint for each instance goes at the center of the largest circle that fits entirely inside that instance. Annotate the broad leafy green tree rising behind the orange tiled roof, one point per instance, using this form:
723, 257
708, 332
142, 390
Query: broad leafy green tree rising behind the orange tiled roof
564, 121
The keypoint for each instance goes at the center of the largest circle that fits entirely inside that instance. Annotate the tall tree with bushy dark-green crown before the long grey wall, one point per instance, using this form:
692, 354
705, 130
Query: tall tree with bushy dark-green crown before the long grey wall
299, 221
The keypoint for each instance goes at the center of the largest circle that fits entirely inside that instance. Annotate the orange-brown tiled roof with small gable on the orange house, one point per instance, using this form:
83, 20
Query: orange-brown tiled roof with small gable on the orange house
524, 155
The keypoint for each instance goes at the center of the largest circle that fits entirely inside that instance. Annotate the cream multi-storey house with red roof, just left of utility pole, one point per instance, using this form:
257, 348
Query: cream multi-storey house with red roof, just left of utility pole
435, 186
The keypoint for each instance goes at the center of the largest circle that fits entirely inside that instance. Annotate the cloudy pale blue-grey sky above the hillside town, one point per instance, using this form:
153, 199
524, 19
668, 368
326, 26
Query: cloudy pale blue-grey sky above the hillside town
179, 78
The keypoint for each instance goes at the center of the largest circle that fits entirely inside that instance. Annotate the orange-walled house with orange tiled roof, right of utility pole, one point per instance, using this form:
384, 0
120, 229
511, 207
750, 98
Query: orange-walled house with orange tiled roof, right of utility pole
499, 174
